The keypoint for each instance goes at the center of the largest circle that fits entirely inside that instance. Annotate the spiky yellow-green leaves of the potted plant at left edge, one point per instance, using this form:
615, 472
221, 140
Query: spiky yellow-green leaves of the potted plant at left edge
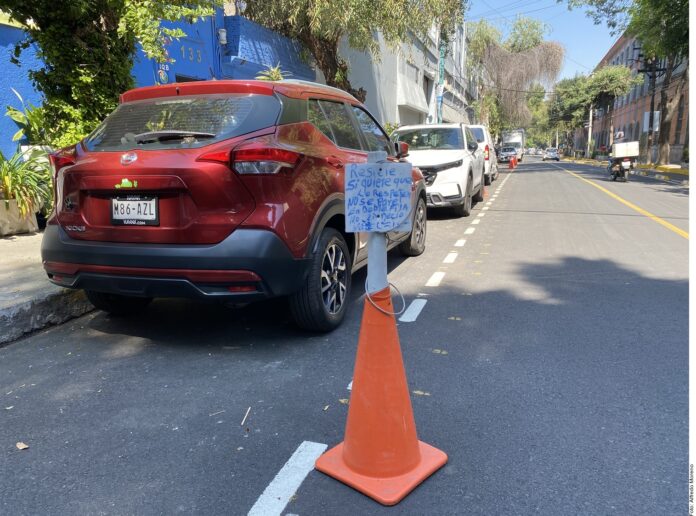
26, 178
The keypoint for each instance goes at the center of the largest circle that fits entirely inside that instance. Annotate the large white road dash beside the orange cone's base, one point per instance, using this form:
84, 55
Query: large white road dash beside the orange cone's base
288, 480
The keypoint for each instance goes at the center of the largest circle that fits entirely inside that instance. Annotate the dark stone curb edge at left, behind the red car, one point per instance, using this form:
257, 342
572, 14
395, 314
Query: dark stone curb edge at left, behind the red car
55, 306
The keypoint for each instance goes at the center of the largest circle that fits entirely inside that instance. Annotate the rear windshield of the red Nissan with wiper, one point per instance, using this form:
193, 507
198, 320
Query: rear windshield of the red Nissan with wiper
183, 122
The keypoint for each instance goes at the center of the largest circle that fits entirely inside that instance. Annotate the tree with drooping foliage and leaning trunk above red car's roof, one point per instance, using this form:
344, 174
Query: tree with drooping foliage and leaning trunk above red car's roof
320, 25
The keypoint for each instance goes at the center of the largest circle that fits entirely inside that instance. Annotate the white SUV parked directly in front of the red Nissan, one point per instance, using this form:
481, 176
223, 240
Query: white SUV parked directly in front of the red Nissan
448, 155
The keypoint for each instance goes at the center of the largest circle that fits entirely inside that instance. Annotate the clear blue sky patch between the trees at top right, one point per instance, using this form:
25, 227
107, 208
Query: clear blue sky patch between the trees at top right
585, 43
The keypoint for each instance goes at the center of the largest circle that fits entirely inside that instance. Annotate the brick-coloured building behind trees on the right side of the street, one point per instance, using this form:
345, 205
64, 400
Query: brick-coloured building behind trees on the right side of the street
630, 113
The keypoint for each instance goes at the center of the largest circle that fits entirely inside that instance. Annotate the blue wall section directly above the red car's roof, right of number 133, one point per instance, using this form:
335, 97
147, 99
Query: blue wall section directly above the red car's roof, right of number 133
252, 48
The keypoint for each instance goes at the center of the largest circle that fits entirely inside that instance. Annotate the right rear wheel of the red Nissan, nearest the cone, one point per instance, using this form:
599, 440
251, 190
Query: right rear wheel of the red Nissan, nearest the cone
321, 304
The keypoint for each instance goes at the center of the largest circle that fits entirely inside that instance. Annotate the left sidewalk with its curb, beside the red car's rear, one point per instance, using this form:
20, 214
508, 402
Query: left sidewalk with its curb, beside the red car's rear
28, 301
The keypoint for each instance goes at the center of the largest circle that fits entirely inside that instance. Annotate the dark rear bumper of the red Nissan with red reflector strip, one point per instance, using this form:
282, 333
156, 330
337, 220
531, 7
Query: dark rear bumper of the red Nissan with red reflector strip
249, 264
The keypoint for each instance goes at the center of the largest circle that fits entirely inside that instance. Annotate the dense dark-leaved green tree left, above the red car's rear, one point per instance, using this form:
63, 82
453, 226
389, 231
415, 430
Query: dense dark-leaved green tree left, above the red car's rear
87, 47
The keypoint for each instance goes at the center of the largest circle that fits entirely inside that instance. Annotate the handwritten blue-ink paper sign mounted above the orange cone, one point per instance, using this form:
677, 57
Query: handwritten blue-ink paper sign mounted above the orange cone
378, 197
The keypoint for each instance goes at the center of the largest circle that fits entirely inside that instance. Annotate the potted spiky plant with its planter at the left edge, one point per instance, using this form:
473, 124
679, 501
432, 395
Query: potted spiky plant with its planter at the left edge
25, 187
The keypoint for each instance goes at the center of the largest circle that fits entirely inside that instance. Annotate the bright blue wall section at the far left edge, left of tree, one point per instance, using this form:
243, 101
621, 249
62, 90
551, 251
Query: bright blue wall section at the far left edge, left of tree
16, 77
